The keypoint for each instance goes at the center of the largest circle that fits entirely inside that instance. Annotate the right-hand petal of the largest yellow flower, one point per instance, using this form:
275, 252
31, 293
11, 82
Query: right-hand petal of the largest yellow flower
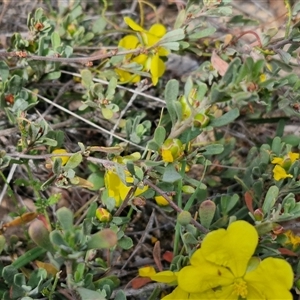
272, 279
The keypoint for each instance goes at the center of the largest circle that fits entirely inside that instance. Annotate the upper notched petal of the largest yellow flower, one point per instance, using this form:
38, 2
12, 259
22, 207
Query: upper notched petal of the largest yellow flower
231, 248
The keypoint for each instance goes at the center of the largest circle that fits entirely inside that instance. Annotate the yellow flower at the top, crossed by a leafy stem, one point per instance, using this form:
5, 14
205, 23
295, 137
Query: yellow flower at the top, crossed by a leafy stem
151, 62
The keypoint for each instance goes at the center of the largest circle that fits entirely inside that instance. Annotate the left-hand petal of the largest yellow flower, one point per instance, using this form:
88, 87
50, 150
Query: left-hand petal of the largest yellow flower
203, 275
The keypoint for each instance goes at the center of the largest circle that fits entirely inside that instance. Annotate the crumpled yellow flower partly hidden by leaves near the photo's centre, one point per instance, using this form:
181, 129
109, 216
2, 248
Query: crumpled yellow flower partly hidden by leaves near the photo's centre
117, 189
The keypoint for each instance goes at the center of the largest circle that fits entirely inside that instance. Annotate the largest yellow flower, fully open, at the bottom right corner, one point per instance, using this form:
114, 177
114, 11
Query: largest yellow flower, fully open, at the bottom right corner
223, 269
